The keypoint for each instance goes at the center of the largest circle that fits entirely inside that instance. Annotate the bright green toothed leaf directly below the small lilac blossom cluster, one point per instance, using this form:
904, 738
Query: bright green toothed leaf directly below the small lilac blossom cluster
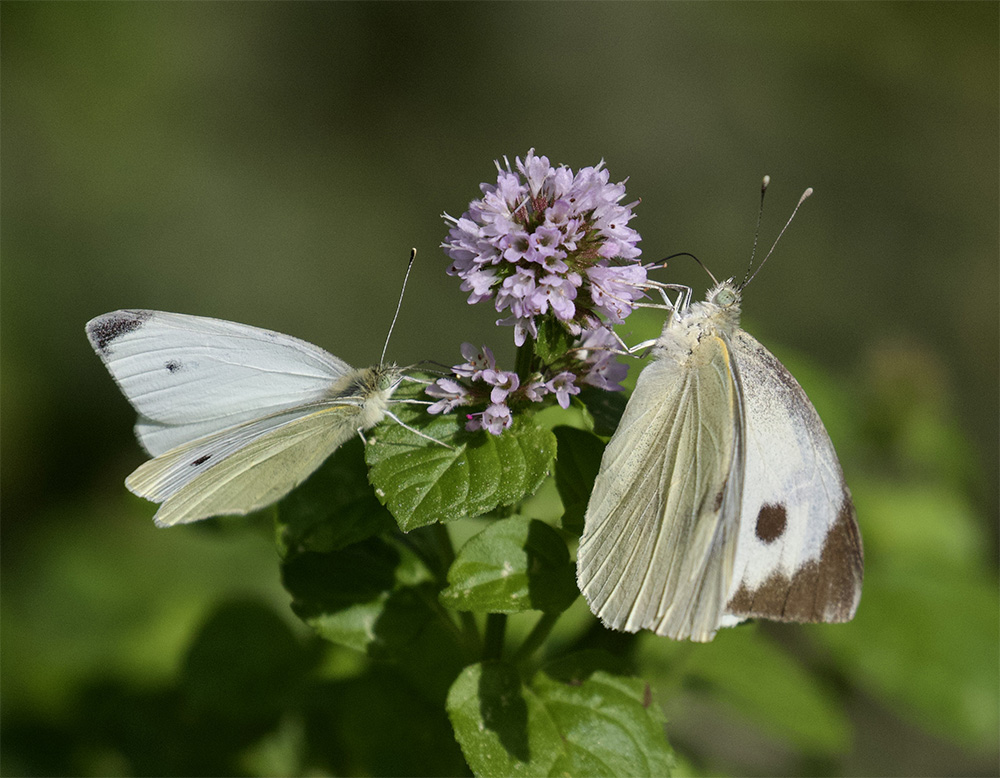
423, 482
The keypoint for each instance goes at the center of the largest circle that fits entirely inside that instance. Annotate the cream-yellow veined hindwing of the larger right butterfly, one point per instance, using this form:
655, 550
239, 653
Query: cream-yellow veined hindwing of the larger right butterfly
660, 530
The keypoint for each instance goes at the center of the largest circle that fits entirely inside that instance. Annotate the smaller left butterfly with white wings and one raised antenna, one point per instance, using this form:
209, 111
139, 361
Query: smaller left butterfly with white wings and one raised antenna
234, 416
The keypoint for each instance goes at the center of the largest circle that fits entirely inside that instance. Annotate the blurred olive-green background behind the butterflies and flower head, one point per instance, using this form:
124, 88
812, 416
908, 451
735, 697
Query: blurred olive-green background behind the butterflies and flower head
274, 163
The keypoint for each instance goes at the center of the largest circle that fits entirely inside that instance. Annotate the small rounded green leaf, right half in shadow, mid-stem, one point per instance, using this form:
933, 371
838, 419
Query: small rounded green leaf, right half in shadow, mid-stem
513, 565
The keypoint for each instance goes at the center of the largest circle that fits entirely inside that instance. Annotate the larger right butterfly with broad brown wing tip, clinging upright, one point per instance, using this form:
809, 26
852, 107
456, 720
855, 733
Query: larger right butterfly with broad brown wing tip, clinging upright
720, 496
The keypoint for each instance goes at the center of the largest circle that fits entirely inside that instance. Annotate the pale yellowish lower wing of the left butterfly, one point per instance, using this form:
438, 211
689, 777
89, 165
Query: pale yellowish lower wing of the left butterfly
245, 468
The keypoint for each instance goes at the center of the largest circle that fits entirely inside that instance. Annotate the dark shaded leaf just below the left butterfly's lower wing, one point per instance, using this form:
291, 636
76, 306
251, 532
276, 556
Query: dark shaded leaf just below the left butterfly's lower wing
334, 508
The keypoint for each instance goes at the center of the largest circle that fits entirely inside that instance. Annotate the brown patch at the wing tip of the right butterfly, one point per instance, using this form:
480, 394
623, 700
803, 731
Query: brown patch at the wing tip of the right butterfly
825, 590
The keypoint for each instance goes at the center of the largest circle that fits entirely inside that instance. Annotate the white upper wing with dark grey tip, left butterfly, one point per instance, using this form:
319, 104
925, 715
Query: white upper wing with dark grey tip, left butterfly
192, 376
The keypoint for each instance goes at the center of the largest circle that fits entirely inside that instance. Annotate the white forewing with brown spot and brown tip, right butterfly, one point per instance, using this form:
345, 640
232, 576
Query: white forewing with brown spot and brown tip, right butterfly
799, 554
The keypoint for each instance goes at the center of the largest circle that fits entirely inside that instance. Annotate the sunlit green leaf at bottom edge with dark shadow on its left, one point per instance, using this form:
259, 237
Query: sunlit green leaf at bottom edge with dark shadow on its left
604, 725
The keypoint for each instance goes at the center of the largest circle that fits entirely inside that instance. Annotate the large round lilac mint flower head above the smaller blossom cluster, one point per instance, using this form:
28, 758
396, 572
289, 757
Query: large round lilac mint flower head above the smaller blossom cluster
547, 241
